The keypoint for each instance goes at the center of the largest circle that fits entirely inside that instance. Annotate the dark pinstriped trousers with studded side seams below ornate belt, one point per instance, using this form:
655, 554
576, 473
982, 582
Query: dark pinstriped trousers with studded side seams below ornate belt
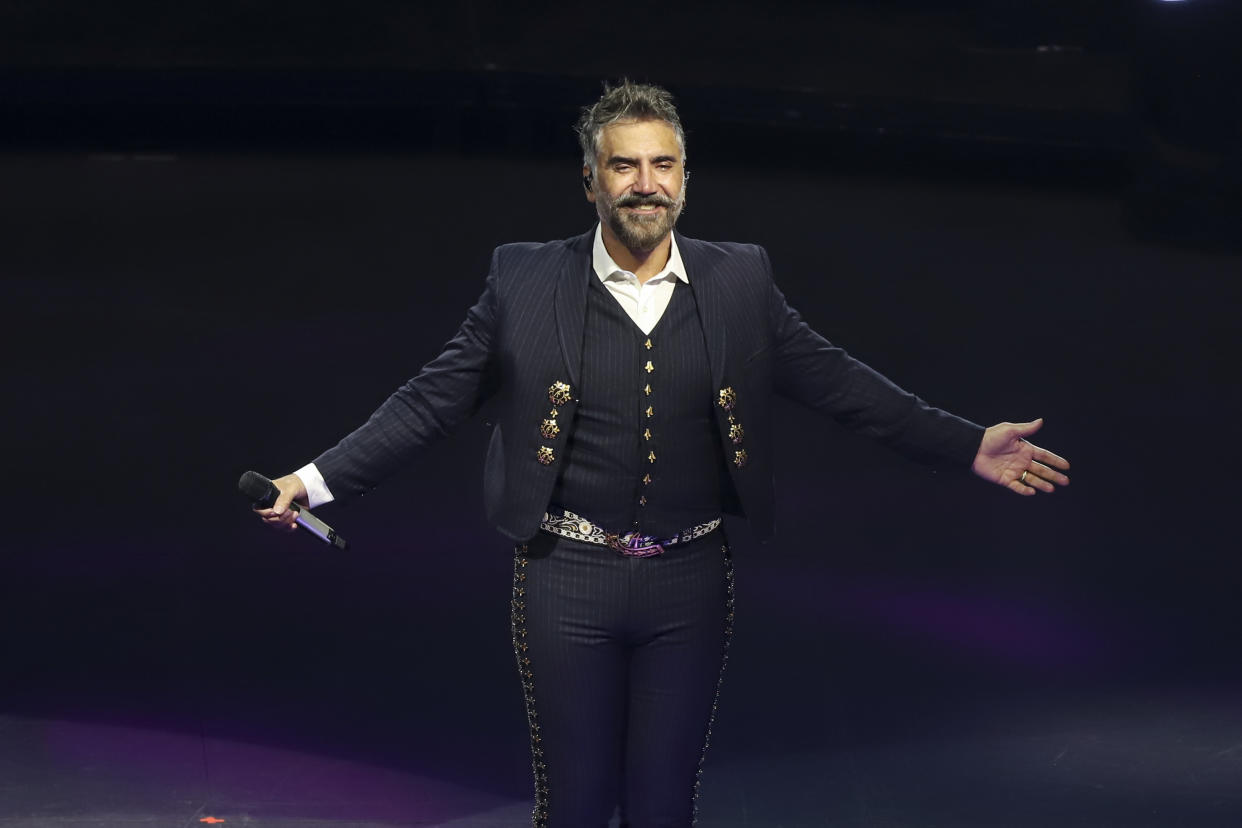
622, 661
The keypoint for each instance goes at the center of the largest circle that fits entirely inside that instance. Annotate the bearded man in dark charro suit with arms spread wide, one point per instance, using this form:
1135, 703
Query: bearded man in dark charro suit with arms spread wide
633, 371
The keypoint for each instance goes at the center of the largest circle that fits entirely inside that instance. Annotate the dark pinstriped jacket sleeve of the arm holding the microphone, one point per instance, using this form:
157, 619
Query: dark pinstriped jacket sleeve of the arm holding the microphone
442, 397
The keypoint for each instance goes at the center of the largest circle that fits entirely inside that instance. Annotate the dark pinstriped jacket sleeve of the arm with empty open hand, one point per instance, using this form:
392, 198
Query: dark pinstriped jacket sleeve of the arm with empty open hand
813, 372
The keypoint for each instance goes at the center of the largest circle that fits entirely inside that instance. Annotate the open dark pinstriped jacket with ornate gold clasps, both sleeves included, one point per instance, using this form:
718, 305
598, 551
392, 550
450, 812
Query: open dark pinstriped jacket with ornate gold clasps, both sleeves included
526, 333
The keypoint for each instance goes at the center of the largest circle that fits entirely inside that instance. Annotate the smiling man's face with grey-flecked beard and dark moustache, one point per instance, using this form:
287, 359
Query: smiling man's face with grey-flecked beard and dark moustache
640, 184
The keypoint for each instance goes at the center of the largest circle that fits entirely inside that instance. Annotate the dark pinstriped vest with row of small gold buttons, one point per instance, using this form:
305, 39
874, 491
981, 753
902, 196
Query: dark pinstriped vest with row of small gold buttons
644, 452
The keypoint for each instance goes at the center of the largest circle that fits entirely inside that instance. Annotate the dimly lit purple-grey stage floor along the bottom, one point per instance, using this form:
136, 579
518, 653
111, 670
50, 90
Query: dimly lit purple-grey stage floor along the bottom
1110, 762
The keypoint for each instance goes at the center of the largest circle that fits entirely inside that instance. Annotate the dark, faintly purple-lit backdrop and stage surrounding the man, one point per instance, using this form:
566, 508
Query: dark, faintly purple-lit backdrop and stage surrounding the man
229, 230
